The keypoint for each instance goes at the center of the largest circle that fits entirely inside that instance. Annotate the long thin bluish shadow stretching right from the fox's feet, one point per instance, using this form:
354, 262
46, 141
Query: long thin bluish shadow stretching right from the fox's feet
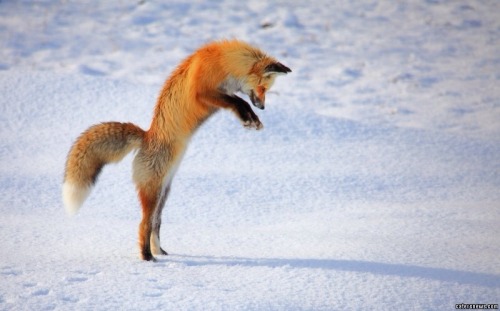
401, 270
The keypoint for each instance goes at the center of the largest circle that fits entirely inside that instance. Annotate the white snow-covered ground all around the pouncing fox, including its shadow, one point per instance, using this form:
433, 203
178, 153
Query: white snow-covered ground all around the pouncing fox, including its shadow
374, 184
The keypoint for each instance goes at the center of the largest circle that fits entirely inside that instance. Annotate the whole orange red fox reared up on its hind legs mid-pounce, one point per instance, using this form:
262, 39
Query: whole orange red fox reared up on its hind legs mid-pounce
202, 84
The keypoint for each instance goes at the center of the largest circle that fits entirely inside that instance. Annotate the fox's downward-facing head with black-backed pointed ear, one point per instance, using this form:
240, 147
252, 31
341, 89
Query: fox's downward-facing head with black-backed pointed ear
261, 79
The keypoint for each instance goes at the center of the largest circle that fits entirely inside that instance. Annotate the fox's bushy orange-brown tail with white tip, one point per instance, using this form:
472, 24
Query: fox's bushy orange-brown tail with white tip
97, 146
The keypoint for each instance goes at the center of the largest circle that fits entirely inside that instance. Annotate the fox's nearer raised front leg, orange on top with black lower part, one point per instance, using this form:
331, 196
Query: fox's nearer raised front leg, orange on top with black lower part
238, 105
